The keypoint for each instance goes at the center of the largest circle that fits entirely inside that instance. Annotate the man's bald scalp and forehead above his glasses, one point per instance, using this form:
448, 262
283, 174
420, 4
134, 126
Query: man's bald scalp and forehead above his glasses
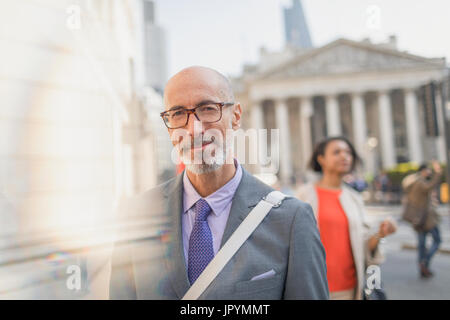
193, 82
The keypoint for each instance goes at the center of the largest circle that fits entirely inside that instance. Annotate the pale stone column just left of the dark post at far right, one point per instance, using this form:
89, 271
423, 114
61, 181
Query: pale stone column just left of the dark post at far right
413, 126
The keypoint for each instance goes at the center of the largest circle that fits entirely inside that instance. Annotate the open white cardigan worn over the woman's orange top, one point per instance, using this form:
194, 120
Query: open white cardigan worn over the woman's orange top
353, 206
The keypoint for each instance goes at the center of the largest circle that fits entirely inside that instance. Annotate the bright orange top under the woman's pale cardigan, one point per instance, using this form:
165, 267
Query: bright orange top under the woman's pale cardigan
335, 236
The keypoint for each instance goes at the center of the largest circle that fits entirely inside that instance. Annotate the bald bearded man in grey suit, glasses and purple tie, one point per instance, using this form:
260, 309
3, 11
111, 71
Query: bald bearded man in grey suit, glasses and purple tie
202, 207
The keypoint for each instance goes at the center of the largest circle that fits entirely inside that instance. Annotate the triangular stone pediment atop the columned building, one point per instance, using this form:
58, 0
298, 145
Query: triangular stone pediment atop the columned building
346, 56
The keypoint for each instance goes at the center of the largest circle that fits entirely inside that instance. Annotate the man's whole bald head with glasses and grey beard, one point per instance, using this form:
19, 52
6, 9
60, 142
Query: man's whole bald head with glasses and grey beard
192, 88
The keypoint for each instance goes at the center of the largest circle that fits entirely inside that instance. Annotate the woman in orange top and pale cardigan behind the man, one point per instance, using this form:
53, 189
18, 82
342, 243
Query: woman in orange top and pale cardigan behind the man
340, 213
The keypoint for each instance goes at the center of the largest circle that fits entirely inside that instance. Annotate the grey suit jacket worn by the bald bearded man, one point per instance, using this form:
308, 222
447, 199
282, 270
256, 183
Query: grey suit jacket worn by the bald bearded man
287, 241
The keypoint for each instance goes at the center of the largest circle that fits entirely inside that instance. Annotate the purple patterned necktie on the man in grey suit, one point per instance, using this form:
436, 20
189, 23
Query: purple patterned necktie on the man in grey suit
200, 242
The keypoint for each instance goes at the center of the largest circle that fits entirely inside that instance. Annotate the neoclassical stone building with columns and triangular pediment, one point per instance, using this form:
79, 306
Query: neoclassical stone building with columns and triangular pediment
370, 93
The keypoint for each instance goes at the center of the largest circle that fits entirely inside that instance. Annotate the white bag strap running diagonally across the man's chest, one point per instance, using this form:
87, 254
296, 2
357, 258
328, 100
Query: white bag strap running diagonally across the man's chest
239, 236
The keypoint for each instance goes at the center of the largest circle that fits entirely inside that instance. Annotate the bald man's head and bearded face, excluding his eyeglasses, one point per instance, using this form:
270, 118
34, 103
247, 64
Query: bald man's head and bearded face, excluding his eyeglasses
201, 146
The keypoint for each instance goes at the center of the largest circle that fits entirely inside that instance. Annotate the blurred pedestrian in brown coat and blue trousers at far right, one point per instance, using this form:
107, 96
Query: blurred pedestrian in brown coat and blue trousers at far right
420, 212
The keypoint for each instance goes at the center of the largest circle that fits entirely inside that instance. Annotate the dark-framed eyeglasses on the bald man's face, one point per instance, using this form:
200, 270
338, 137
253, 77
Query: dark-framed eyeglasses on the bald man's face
206, 112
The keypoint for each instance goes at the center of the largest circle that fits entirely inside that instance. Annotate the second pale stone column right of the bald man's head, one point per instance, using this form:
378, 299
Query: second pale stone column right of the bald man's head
282, 121
